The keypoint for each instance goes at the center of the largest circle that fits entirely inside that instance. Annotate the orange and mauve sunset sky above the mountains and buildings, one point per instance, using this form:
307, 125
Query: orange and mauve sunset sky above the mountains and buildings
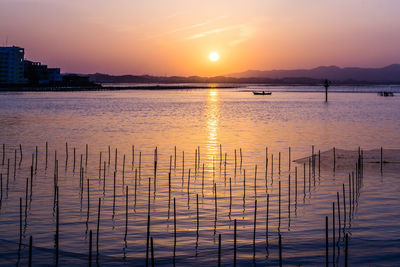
175, 37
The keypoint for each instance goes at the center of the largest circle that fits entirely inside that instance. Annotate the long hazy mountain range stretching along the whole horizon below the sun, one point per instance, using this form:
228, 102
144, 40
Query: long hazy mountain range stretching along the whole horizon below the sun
388, 75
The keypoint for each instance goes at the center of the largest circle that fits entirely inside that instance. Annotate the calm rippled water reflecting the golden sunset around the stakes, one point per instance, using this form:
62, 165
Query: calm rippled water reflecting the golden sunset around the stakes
192, 119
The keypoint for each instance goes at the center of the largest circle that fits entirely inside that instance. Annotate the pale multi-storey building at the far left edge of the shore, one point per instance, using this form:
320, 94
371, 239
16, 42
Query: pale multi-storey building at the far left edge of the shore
11, 65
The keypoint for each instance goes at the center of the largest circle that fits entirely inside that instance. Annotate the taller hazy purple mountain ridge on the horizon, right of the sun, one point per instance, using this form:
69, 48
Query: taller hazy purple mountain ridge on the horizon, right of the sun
389, 73
